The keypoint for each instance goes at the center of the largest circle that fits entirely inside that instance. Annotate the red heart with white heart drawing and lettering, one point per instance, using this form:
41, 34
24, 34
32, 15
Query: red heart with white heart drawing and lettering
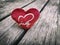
25, 19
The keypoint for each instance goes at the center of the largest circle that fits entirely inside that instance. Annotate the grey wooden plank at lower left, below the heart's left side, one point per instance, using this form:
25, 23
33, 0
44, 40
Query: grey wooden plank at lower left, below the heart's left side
10, 33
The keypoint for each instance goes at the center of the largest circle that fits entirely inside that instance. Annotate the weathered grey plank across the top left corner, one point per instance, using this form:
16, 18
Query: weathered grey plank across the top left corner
9, 6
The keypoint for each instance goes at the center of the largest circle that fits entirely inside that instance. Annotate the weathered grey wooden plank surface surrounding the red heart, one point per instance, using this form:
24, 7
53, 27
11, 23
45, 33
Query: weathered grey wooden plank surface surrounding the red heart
46, 31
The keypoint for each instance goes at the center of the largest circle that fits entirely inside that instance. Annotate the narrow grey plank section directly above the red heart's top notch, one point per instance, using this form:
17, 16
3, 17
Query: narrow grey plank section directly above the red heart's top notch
38, 6
